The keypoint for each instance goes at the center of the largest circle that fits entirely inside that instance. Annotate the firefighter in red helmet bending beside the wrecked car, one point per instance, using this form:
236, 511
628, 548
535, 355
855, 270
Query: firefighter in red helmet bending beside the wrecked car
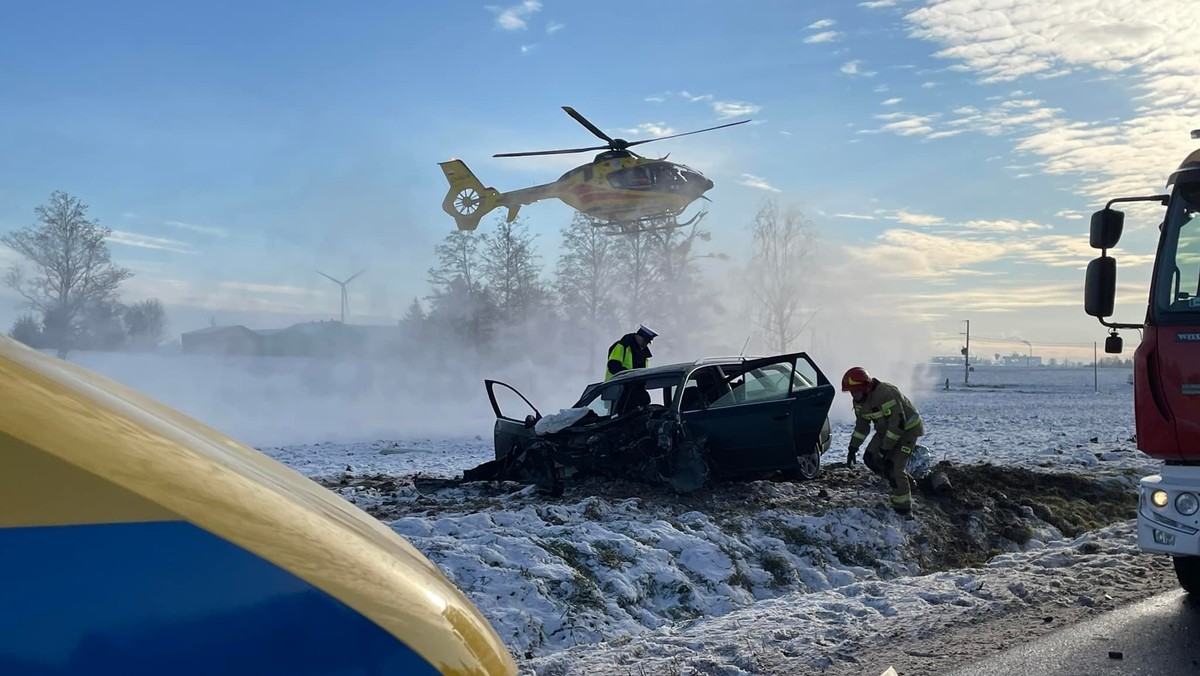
897, 428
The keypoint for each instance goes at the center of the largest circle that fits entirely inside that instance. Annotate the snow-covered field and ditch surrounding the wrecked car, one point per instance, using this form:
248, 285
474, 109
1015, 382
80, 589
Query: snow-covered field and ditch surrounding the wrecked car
757, 578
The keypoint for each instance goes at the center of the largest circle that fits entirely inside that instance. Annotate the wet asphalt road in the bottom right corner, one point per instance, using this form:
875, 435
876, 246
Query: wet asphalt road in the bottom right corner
1160, 636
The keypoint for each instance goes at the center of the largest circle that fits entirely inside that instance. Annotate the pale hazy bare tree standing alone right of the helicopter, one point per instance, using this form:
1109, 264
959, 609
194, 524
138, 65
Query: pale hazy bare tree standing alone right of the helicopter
778, 276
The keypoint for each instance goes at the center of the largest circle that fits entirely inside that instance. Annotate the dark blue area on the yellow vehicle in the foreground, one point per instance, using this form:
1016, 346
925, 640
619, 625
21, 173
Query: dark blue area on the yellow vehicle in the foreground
172, 599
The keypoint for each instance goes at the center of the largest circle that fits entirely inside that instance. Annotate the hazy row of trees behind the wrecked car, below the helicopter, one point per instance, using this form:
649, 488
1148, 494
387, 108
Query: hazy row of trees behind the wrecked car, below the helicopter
489, 294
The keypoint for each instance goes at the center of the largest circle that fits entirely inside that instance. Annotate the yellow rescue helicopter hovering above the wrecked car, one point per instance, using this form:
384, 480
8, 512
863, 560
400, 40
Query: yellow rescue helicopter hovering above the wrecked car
619, 188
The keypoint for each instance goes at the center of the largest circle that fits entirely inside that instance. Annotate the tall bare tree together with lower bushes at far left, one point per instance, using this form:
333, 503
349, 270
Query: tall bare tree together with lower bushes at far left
71, 288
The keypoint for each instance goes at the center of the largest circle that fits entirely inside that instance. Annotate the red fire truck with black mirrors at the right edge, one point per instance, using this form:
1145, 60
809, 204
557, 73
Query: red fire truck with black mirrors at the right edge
1167, 366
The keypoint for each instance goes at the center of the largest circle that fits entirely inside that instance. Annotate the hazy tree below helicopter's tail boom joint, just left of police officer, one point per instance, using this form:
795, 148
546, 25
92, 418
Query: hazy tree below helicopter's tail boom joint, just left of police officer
587, 282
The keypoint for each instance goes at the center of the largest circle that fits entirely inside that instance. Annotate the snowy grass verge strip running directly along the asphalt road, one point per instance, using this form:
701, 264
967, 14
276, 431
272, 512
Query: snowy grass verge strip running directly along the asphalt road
827, 631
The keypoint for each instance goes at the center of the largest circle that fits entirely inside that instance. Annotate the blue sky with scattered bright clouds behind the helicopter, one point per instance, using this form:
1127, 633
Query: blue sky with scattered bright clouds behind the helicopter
951, 148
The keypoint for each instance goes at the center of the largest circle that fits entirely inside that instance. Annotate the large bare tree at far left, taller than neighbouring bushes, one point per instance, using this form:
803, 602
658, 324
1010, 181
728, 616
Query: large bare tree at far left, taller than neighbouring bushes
74, 271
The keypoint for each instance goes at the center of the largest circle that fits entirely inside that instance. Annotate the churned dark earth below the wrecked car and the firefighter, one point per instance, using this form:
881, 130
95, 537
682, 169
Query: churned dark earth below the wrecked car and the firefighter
991, 511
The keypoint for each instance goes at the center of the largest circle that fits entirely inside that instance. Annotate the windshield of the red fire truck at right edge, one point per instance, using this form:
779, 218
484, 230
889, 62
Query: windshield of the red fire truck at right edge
1178, 282
